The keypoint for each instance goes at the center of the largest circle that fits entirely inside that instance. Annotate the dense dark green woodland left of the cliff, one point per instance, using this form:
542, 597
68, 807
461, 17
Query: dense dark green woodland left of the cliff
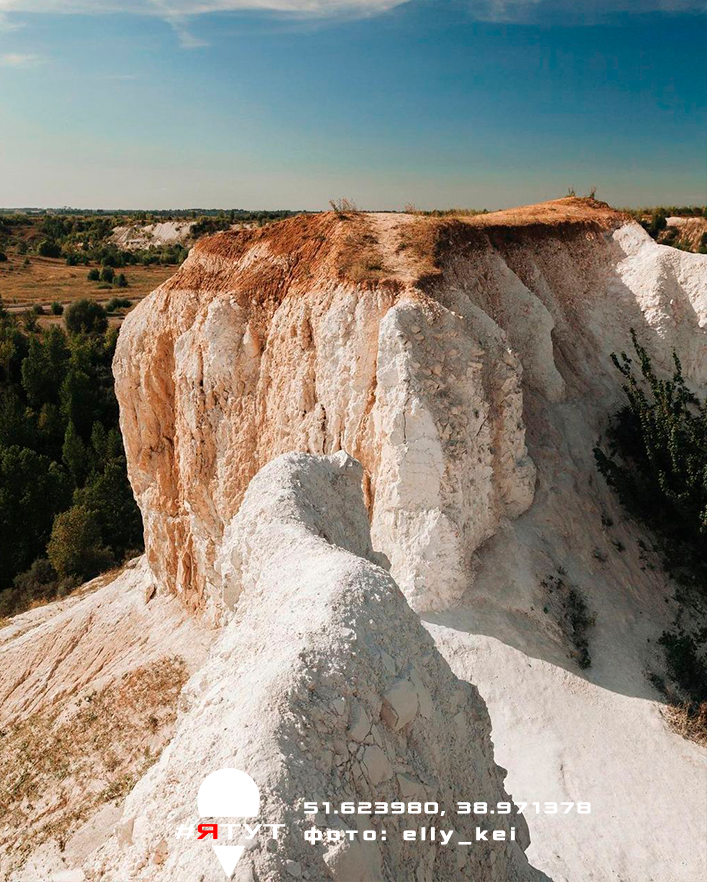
66, 508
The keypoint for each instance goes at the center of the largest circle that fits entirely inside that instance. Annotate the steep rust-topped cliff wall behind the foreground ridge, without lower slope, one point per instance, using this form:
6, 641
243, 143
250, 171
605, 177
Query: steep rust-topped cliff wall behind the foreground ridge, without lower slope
413, 344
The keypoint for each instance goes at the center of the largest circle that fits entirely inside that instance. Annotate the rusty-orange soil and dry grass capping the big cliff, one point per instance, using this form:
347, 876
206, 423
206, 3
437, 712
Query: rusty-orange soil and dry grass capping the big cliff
378, 249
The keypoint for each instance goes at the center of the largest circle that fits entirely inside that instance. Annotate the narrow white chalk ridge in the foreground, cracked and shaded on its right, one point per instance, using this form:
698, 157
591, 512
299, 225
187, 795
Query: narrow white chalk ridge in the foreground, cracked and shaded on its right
350, 702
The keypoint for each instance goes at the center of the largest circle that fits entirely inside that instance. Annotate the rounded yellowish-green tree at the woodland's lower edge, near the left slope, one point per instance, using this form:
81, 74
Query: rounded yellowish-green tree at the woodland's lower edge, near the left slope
75, 547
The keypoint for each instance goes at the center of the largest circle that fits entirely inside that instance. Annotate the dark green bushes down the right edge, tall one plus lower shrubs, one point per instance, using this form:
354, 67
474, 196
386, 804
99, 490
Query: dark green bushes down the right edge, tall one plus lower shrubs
657, 463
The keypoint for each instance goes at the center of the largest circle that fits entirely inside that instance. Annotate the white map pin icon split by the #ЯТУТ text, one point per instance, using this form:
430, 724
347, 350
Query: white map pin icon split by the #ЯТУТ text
228, 793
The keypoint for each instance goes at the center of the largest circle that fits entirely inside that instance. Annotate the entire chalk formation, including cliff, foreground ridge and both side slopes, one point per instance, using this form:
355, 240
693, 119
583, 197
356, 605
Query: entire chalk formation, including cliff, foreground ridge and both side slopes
464, 363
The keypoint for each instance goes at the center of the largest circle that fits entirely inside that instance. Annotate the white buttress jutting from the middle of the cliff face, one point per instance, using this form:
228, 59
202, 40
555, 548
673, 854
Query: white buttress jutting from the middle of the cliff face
451, 459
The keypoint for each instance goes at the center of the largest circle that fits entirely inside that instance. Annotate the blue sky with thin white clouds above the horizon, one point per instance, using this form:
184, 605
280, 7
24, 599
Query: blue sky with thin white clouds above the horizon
477, 103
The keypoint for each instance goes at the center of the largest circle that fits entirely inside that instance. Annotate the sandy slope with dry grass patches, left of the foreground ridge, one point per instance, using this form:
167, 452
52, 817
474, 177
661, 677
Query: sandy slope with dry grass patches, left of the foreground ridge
112, 647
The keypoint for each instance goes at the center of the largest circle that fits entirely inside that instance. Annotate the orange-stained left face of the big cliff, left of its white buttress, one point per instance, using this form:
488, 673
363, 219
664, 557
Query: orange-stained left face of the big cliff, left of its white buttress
245, 354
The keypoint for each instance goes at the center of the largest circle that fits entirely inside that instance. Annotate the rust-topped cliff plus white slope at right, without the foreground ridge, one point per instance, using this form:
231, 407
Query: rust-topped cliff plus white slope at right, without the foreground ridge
465, 363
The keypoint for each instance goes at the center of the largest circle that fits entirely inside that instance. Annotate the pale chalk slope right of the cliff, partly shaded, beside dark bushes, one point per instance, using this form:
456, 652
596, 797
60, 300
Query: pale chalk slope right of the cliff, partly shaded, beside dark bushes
596, 735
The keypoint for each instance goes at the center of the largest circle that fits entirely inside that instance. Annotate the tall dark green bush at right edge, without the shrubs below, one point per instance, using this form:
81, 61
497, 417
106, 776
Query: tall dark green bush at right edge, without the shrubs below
657, 462
